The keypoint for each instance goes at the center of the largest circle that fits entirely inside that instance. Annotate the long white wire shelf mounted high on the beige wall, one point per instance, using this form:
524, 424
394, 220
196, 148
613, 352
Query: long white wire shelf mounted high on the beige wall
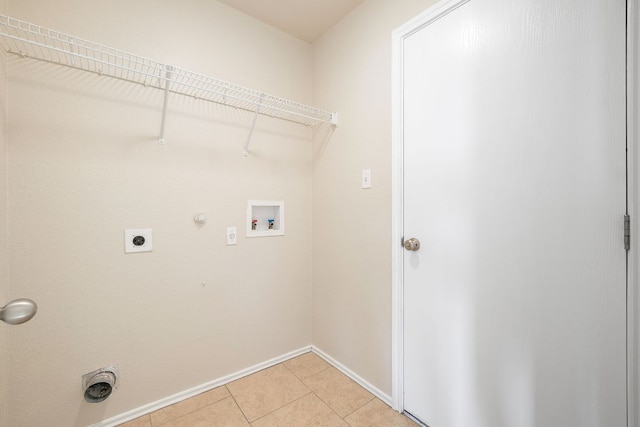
33, 41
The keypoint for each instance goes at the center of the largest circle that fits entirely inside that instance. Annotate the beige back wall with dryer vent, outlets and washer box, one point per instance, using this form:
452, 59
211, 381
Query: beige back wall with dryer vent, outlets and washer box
85, 164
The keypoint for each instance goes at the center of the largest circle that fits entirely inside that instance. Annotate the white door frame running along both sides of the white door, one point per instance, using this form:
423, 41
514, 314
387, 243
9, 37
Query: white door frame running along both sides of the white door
430, 15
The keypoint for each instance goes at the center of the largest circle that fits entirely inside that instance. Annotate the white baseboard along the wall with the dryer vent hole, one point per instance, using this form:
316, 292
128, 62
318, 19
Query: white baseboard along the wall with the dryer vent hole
178, 397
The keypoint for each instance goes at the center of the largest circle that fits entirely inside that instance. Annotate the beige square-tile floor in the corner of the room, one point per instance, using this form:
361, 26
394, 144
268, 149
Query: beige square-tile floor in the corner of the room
303, 391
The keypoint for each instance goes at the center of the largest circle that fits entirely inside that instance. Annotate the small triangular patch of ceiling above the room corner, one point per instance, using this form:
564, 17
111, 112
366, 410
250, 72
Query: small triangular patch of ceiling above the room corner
304, 19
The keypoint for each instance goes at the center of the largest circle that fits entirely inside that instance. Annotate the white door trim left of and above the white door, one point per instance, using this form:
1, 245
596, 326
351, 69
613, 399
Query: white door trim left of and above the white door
397, 226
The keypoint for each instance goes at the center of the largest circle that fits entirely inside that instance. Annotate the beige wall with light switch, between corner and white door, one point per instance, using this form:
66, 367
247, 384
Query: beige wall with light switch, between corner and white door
351, 226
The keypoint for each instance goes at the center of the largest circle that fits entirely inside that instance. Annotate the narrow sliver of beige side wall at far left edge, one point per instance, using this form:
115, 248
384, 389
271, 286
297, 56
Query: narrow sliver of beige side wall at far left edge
4, 274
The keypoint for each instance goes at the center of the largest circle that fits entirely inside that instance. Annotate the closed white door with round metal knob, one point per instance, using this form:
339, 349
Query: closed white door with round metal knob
514, 184
